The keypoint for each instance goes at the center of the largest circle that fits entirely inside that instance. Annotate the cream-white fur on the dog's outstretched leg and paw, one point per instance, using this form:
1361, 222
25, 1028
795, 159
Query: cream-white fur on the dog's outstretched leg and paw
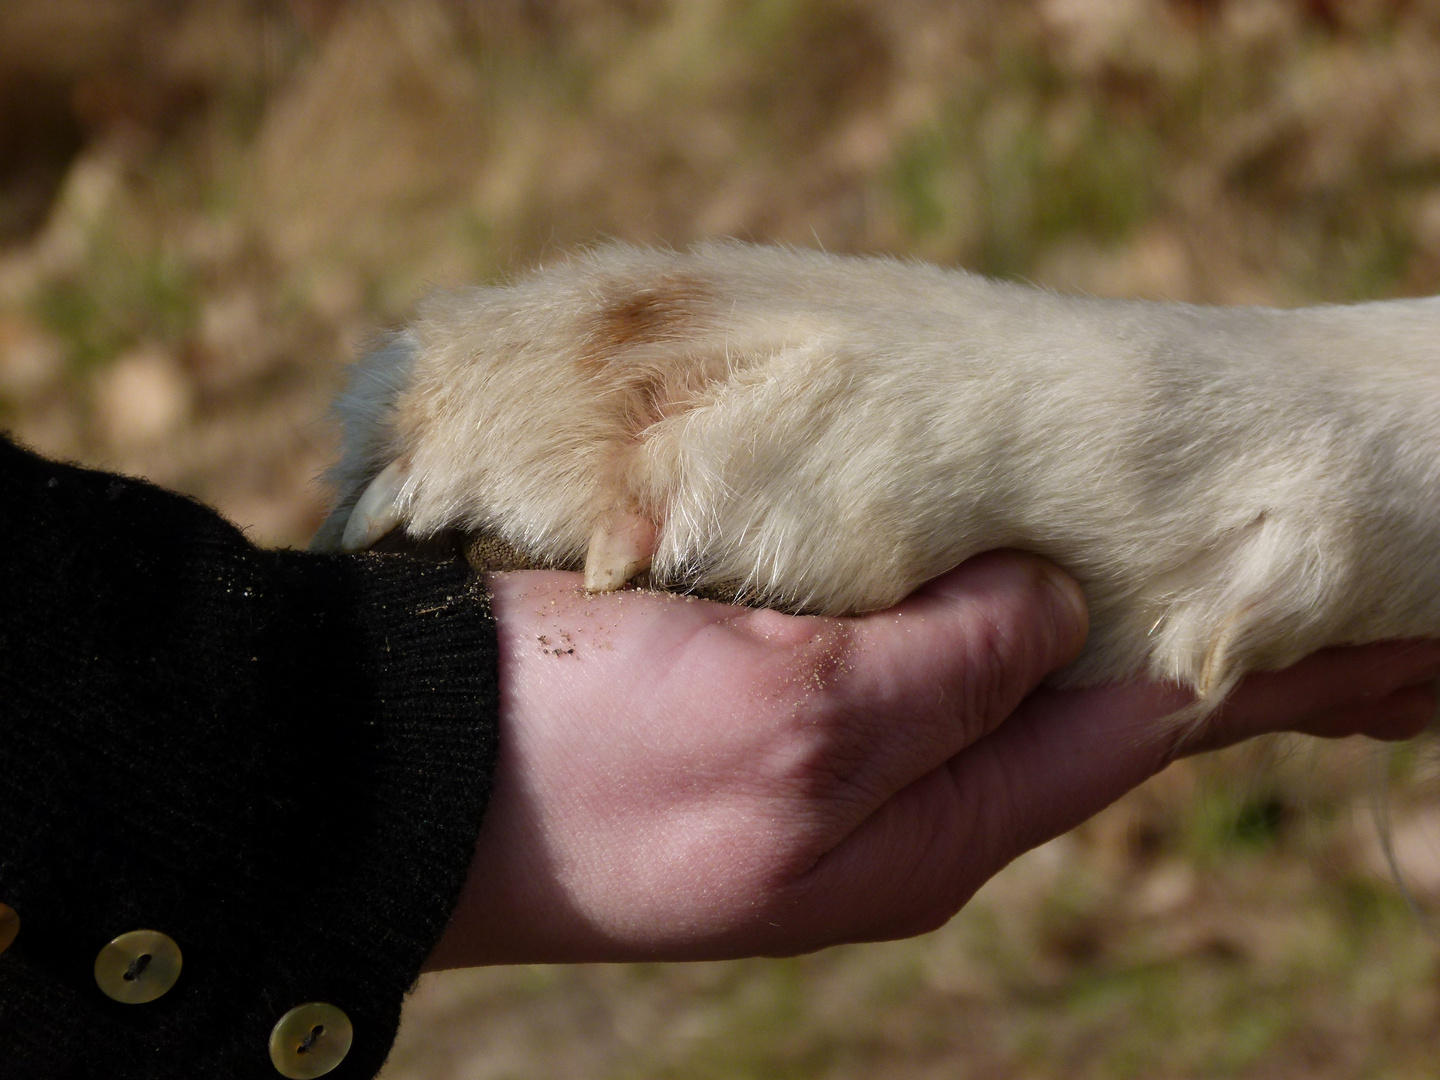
1233, 487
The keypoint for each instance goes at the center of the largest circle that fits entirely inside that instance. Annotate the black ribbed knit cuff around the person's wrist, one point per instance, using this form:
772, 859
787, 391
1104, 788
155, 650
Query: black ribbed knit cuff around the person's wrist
394, 752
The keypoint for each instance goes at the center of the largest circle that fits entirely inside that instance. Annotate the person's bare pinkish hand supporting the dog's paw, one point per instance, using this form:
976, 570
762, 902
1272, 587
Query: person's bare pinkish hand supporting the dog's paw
685, 781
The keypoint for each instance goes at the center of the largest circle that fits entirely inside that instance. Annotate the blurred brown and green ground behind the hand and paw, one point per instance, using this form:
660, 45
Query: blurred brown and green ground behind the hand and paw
208, 207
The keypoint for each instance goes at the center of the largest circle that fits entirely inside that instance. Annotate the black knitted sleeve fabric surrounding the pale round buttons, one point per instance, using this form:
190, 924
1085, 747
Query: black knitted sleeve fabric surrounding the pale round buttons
277, 760
